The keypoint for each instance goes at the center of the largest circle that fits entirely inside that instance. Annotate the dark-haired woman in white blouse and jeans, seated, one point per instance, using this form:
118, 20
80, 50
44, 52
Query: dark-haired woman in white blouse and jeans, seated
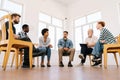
44, 42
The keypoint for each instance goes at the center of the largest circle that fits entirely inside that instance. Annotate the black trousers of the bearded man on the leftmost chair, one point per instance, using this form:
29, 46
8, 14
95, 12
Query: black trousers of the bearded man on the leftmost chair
26, 51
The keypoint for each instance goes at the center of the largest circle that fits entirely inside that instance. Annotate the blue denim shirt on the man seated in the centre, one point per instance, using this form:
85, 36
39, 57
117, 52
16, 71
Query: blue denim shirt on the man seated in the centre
62, 43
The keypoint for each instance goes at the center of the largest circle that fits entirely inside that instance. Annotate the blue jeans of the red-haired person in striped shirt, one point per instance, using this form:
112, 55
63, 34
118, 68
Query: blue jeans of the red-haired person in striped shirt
98, 49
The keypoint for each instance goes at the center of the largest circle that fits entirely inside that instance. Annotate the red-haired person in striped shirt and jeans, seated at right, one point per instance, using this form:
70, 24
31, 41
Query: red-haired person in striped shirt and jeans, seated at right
106, 37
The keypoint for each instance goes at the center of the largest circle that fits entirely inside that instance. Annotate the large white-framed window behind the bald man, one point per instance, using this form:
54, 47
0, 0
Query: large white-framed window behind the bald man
83, 24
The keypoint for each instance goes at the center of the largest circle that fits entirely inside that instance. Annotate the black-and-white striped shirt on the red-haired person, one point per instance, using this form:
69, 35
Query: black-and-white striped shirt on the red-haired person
106, 35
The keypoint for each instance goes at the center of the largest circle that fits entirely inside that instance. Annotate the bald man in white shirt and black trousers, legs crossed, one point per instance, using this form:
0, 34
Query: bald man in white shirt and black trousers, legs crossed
90, 41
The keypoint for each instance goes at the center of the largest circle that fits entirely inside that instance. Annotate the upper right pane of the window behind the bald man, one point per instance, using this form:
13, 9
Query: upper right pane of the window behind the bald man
94, 17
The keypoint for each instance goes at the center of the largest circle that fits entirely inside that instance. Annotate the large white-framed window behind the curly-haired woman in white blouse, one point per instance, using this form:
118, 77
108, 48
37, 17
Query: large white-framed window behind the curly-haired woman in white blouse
54, 25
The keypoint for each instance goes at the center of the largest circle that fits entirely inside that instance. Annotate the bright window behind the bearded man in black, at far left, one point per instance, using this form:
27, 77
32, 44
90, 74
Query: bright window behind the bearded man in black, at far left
12, 7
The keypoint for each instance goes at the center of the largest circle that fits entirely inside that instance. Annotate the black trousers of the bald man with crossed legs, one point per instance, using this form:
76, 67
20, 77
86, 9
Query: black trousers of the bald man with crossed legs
85, 51
